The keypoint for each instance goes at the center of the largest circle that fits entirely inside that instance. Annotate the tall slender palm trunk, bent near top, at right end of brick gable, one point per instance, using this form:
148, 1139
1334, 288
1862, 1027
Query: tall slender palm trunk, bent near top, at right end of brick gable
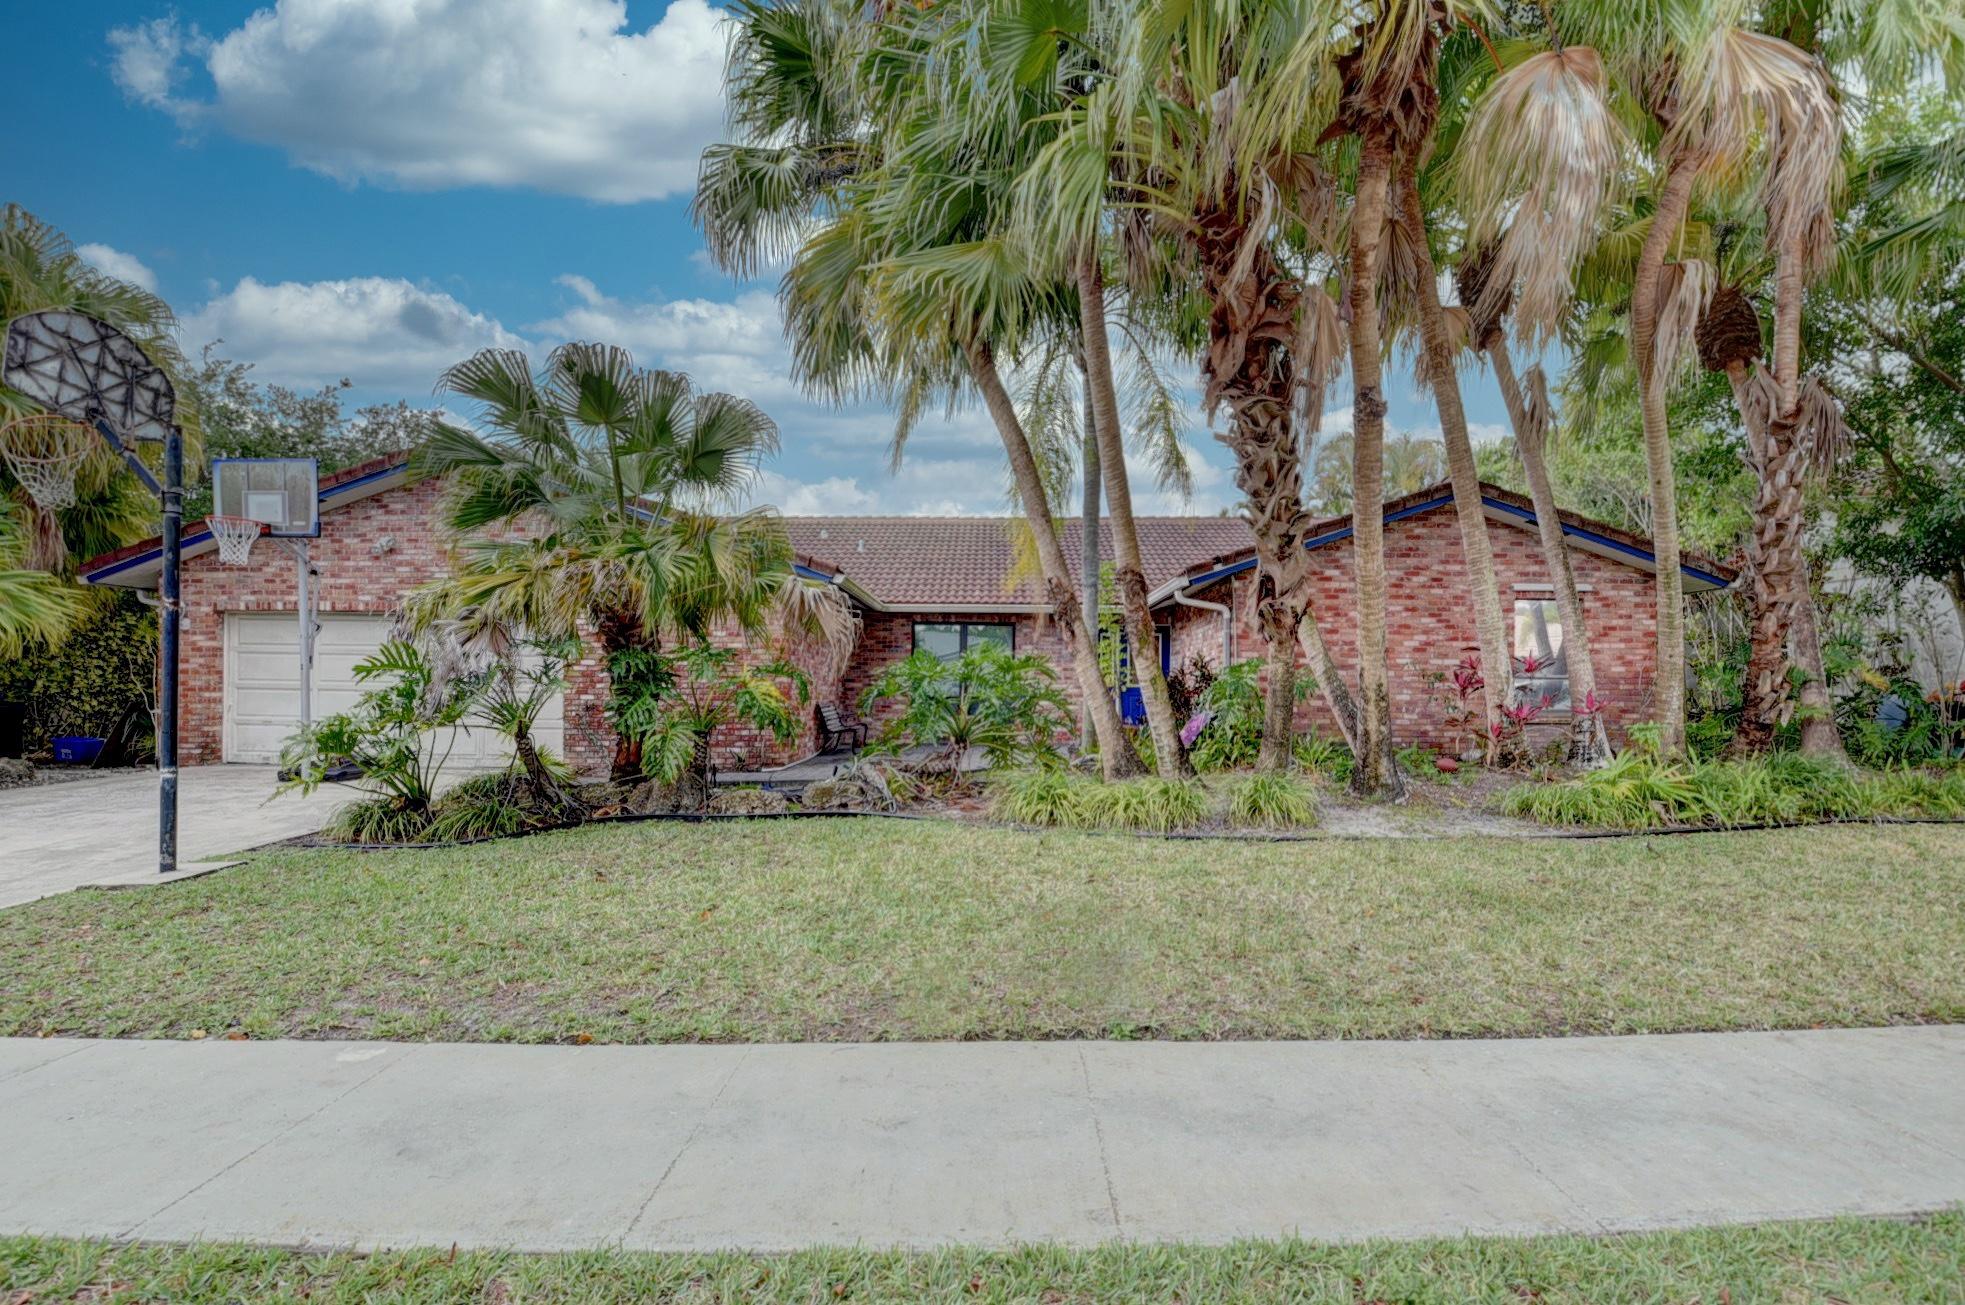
1671, 620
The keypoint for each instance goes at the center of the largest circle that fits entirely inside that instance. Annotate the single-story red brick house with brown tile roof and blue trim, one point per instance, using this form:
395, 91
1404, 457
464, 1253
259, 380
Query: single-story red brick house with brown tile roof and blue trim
917, 583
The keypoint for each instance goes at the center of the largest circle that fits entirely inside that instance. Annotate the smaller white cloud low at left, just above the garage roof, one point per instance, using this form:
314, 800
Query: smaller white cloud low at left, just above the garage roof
376, 331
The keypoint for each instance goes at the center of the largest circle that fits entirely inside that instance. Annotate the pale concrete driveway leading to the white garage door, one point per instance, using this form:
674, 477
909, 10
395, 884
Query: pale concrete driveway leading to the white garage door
80, 832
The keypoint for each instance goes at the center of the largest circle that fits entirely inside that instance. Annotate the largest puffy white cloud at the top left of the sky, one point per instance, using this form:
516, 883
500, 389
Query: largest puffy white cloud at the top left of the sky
555, 95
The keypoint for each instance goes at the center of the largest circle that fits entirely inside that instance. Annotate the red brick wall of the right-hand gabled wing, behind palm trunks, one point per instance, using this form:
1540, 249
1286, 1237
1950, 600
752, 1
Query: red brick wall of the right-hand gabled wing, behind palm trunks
1432, 624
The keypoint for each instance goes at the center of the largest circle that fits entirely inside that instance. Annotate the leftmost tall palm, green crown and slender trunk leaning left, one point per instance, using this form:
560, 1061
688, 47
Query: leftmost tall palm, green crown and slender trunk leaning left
897, 288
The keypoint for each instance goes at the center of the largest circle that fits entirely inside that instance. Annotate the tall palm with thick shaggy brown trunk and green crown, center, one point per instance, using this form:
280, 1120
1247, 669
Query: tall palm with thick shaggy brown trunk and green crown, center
1194, 150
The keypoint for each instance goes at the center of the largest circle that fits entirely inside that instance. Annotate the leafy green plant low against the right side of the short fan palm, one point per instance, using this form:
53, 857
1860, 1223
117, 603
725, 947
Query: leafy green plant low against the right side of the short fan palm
677, 701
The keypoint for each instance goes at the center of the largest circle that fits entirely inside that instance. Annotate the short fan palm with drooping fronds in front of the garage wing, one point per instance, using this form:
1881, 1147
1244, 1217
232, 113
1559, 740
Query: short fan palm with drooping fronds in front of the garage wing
598, 494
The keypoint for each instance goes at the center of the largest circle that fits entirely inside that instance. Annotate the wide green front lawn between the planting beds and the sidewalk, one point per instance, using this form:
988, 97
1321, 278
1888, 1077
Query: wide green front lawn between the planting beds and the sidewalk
873, 929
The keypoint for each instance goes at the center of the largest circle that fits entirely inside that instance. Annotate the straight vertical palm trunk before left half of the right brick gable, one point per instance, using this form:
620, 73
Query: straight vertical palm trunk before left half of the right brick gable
1375, 771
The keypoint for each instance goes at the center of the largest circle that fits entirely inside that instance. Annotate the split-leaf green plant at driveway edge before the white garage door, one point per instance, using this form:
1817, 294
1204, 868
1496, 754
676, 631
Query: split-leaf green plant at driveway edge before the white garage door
400, 736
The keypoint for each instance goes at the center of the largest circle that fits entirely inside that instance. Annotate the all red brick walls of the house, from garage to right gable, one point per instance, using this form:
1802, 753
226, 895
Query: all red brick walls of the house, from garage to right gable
1432, 624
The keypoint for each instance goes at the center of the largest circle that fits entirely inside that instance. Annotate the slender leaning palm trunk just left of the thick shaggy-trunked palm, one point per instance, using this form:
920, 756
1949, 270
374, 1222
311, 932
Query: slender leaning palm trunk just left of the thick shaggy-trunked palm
1129, 567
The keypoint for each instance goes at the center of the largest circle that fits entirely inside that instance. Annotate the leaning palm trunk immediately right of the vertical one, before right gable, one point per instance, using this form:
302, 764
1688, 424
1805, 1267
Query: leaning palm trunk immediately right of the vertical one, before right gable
1477, 549
